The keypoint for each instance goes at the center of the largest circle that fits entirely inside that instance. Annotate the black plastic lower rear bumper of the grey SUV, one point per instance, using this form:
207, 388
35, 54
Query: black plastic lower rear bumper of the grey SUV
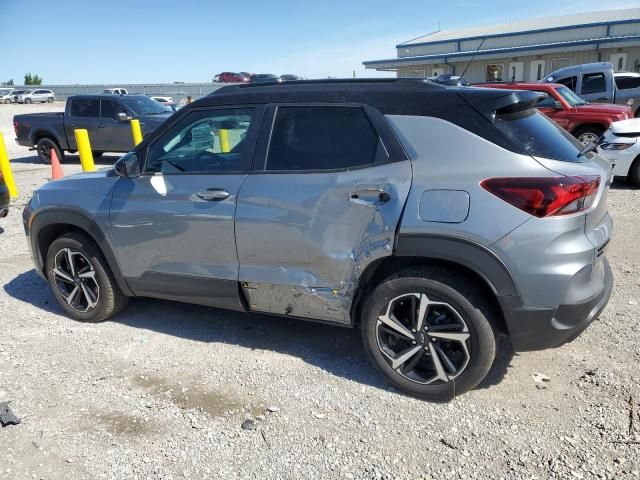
539, 329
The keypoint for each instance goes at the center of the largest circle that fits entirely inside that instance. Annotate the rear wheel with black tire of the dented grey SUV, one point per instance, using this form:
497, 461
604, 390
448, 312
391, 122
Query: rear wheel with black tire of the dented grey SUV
462, 313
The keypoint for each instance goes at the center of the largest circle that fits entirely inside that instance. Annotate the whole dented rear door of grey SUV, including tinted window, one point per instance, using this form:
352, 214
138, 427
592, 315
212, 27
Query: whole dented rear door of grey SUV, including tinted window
324, 202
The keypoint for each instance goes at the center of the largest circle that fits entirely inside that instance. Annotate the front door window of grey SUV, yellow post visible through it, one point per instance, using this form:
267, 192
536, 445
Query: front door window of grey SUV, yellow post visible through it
211, 141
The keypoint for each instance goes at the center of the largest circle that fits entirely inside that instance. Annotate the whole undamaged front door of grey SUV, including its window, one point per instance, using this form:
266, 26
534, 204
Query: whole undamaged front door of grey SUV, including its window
173, 227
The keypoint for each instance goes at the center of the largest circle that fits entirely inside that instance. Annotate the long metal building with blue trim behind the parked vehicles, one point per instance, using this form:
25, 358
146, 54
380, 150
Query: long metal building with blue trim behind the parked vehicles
525, 50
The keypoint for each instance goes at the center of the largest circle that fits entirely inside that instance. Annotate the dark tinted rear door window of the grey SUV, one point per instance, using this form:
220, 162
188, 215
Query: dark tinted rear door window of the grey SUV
321, 138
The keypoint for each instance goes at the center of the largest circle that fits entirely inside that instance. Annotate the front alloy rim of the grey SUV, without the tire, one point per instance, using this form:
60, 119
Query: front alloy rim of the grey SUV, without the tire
75, 279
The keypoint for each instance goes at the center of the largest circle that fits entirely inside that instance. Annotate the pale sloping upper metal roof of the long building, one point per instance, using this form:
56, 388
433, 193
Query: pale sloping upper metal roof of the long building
536, 24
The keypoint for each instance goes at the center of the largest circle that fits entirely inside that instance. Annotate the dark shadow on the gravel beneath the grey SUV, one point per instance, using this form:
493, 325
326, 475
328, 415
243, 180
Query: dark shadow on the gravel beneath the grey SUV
335, 349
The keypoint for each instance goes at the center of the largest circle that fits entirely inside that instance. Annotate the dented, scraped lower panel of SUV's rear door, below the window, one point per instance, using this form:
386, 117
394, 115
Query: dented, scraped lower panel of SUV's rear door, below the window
303, 242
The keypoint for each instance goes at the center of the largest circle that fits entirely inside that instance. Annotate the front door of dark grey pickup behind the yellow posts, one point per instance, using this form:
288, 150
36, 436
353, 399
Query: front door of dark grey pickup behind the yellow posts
112, 134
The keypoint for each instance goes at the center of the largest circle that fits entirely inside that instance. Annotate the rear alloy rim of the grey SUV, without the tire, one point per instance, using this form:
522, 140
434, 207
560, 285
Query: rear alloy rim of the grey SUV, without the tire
423, 340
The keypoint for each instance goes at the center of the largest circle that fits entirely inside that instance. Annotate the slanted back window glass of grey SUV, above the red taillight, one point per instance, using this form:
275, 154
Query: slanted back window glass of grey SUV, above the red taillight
532, 133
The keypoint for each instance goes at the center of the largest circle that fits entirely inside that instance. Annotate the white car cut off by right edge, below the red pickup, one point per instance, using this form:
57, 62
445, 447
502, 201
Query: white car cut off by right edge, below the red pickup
621, 146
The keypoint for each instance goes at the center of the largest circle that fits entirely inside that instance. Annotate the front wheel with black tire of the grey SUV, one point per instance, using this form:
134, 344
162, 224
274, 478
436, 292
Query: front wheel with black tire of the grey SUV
99, 286
